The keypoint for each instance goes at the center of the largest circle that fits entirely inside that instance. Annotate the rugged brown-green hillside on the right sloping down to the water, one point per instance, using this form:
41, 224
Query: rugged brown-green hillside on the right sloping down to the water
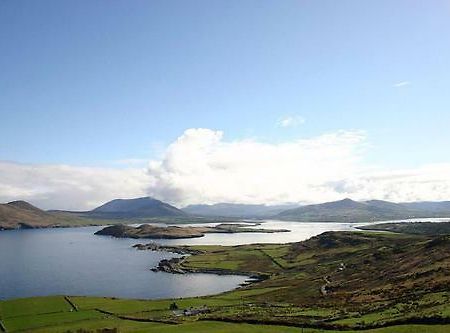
342, 280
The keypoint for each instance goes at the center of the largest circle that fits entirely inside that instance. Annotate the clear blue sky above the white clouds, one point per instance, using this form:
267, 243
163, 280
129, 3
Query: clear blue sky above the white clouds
89, 83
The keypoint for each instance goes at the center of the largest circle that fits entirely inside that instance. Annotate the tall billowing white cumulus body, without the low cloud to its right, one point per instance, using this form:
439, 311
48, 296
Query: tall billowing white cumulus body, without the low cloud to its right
200, 166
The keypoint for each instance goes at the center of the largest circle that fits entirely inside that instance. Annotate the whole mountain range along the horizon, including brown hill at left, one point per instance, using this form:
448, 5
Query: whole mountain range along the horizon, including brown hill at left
20, 214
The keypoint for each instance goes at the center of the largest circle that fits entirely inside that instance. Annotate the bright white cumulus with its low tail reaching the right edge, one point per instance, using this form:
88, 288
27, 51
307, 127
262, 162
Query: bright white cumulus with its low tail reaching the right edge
202, 167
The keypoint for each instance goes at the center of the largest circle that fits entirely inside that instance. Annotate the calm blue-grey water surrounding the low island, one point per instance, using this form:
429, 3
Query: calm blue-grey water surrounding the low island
75, 262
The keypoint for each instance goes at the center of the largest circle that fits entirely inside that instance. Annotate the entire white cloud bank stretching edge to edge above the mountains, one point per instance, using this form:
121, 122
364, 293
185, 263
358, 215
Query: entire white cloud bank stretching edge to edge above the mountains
201, 166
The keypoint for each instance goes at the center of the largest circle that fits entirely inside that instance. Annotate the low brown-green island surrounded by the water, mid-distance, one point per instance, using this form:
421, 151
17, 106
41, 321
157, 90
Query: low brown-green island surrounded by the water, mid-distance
174, 232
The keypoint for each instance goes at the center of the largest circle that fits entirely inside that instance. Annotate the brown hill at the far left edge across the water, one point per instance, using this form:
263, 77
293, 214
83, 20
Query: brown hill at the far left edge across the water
21, 214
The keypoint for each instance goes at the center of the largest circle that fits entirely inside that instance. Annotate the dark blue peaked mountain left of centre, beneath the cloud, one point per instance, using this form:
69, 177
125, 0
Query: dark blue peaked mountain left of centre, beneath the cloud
134, 208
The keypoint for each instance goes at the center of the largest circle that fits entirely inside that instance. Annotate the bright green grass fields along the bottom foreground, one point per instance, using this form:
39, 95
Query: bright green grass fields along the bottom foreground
54, 314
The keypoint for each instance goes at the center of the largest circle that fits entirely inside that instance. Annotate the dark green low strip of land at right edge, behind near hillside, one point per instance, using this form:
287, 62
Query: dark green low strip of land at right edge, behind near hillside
417, 228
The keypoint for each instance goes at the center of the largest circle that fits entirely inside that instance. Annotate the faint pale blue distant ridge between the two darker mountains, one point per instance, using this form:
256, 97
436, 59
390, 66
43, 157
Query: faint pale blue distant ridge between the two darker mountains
236, 210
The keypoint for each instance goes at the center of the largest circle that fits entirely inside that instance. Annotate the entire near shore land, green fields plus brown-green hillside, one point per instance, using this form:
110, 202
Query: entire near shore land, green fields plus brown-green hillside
370, 282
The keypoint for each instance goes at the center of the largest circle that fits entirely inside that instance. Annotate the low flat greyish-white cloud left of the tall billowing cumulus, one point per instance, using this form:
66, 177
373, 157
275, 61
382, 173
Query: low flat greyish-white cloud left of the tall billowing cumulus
68, 187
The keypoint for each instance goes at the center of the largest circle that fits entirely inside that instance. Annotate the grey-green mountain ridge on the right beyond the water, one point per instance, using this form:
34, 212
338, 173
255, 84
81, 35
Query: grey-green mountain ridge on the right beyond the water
374, 210
